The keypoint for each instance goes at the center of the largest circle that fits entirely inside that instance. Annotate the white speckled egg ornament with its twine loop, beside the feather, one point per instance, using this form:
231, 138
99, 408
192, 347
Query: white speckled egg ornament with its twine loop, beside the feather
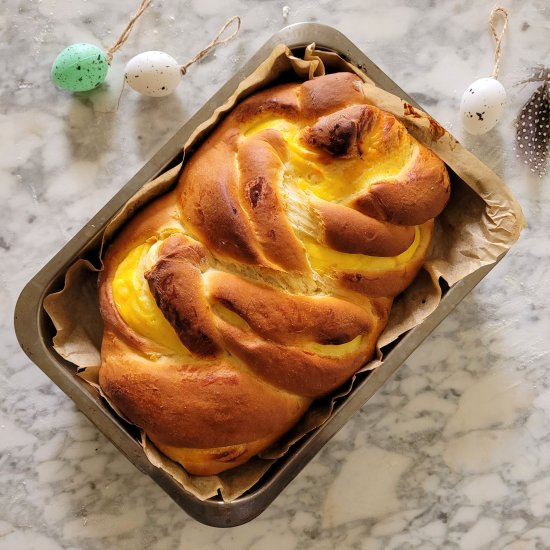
483, 101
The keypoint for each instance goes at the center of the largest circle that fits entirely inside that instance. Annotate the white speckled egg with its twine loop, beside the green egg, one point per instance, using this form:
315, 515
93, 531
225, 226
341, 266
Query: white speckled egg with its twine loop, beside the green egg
157, 74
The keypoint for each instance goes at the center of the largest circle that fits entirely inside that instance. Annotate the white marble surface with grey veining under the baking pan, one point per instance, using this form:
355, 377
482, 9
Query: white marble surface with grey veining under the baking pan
454, 452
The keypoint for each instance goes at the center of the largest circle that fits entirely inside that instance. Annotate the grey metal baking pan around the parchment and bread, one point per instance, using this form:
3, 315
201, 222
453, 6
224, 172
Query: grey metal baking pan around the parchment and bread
35, 330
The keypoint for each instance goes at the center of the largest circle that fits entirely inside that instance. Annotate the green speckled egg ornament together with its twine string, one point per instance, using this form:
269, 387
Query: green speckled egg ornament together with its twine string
83, 67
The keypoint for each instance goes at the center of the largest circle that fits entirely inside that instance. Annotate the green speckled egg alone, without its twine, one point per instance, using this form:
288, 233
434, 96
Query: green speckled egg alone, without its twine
80, 68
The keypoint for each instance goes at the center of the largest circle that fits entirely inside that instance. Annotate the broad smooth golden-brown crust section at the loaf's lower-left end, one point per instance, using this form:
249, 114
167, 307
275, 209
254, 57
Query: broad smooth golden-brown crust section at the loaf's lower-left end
183, 403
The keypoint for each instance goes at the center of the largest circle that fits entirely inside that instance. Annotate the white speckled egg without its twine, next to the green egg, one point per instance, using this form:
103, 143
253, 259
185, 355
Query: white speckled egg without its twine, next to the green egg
155, 74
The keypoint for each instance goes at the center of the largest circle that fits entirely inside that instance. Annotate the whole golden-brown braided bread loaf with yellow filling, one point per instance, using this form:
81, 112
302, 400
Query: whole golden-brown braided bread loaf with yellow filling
263, 281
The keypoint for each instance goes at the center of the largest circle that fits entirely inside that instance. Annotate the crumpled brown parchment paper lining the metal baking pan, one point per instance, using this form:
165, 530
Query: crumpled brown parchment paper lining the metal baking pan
480, 223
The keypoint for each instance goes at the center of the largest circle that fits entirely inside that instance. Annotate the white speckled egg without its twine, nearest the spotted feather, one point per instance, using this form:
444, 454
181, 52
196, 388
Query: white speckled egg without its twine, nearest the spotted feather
482, 105
